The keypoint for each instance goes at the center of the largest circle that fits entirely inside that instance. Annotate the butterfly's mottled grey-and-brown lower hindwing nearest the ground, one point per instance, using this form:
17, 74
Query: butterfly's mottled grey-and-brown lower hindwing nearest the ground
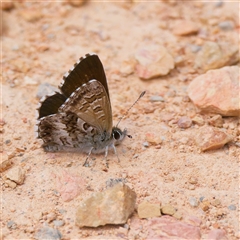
63, 131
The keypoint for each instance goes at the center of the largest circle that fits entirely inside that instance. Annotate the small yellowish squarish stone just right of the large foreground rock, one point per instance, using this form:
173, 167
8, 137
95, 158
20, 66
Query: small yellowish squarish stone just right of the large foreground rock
148, 210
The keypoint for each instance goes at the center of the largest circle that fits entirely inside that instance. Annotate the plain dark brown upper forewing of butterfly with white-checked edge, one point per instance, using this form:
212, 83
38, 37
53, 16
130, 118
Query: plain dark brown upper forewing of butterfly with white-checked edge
87, 68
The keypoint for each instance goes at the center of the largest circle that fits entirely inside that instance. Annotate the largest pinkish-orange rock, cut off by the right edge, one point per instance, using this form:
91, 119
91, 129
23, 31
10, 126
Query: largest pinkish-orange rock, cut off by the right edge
217, 91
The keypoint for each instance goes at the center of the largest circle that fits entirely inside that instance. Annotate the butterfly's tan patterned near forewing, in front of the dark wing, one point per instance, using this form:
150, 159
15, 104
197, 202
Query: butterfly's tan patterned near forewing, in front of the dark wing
90, 102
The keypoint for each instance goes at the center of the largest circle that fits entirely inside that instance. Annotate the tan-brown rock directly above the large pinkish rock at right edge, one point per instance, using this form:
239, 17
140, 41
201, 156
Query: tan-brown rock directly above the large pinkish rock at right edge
214, 55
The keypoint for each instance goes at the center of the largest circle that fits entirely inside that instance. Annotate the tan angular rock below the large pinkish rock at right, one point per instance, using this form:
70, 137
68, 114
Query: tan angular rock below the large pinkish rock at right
212, 138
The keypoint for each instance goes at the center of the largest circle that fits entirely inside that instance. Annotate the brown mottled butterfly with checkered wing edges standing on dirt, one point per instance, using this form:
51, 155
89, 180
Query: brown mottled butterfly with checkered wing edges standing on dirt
79, 117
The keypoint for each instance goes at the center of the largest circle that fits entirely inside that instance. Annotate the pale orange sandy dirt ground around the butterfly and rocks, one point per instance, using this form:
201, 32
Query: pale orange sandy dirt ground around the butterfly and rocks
40, 42
